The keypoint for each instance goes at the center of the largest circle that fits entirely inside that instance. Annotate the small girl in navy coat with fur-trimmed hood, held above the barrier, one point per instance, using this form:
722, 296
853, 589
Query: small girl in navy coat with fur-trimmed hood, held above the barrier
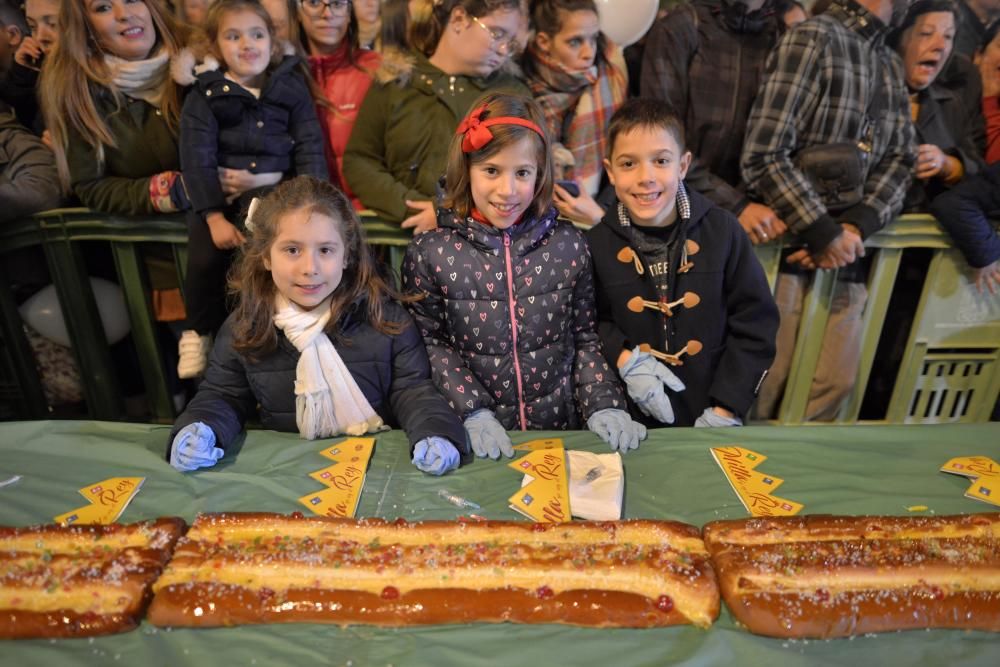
248, 122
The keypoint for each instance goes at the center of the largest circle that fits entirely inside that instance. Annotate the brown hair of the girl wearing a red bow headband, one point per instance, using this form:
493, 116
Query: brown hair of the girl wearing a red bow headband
458, 189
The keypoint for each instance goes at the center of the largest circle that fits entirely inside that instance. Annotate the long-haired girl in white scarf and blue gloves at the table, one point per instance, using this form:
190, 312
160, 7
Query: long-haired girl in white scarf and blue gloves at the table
316, 340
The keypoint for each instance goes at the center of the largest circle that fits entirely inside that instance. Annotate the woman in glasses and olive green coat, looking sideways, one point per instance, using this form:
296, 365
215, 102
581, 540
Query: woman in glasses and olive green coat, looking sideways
398, 149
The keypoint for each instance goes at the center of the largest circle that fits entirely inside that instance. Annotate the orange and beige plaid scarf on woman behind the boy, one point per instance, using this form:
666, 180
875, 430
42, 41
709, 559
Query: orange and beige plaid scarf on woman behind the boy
578, 106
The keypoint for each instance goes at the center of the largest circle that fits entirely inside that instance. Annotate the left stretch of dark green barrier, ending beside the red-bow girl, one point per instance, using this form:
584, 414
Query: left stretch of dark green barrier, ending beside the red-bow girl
59, 233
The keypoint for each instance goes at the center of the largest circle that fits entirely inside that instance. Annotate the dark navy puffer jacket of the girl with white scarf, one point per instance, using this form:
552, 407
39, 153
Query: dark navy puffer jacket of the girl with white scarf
391, 371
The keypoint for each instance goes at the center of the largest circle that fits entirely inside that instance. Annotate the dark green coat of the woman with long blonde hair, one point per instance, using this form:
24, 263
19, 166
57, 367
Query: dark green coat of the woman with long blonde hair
146, 146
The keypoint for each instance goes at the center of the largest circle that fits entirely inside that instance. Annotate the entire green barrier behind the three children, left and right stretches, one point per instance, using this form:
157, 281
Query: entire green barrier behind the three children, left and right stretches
950, 371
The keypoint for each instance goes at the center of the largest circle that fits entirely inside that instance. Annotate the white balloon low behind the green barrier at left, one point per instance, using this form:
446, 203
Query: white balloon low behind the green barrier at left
43, 313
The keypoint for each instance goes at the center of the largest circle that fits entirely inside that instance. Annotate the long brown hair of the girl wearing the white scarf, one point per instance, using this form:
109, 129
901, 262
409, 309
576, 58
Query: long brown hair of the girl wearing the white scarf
254, 333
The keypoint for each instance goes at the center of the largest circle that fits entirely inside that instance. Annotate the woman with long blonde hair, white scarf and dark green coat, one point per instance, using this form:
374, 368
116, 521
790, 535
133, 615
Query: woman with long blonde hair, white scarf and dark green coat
112, 108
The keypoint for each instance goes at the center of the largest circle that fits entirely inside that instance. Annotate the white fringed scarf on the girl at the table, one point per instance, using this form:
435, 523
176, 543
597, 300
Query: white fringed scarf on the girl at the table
328, 401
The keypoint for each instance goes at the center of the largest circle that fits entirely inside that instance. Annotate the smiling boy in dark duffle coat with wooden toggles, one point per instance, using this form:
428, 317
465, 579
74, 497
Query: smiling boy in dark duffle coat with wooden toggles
684, 309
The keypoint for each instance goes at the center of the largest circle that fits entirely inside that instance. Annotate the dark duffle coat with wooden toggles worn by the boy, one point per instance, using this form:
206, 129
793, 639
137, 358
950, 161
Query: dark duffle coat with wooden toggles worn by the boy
736, 320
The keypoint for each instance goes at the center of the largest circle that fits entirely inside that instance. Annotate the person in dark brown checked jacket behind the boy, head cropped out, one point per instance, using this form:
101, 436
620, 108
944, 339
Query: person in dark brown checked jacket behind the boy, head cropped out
706, 59
